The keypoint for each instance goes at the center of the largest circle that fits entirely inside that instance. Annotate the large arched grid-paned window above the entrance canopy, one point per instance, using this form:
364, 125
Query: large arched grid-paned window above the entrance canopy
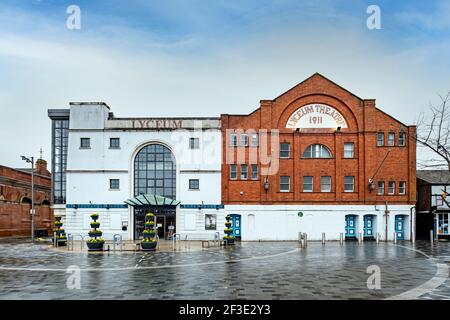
155, 171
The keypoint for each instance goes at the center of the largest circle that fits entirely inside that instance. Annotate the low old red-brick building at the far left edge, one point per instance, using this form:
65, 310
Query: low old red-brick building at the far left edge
15, 200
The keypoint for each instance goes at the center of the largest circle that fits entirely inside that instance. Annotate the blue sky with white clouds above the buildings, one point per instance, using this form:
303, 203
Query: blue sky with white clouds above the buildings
207, 57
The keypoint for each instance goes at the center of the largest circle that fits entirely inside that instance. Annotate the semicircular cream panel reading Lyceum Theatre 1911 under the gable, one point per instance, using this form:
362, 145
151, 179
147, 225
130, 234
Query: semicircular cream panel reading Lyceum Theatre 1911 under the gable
316, 116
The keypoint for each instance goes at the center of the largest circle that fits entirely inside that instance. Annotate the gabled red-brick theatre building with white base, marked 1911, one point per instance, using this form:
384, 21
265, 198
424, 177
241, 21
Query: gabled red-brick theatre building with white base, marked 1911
318, 159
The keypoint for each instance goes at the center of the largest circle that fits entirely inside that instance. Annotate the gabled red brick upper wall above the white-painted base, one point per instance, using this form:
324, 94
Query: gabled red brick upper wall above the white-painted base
364, 121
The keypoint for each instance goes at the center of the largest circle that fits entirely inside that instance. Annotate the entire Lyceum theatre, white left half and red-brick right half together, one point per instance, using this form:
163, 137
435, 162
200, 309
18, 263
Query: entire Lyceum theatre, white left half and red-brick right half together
315, 159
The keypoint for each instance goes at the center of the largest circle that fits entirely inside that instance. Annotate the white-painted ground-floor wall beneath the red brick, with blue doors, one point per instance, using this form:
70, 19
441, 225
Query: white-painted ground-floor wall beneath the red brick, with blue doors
279, 222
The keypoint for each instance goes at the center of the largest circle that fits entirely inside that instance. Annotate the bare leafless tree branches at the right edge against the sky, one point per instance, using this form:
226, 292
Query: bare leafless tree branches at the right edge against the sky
433, 132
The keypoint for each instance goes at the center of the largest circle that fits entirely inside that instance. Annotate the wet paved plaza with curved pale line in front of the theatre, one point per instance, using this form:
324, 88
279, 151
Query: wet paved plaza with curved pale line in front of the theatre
249, 270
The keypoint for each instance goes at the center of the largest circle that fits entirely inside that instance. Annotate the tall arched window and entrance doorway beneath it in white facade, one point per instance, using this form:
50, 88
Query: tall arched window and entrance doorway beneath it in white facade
155, 175
